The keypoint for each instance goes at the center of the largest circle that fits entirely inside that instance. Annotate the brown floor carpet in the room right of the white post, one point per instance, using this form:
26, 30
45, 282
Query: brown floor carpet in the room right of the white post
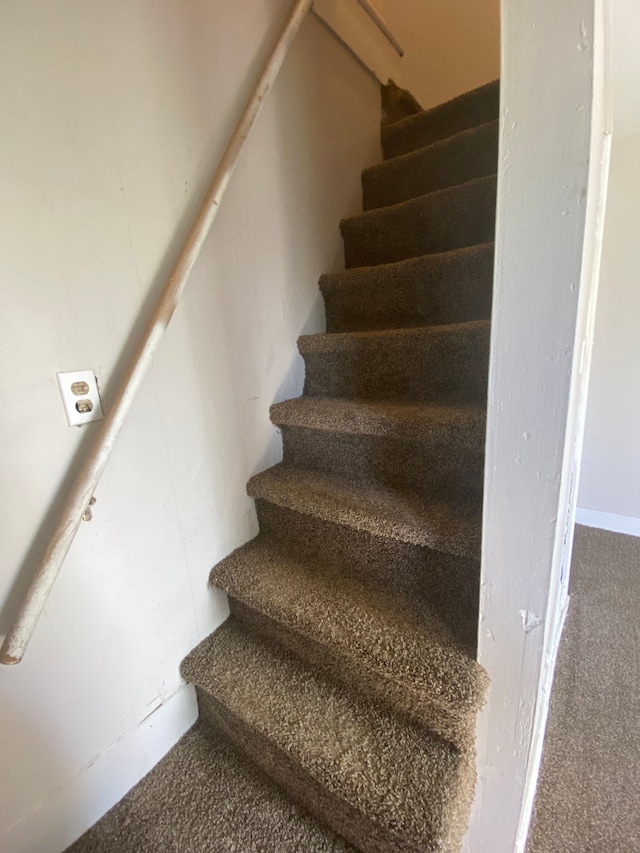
588, 798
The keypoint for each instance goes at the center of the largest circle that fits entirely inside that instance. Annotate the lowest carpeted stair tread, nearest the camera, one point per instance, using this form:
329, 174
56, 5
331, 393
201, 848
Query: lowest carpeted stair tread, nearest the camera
403, 782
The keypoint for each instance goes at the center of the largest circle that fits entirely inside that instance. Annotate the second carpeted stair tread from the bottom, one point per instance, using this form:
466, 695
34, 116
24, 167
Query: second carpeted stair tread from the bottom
375, 628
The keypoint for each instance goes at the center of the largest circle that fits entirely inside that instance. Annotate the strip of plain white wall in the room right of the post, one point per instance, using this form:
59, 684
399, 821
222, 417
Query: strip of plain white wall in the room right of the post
610, 480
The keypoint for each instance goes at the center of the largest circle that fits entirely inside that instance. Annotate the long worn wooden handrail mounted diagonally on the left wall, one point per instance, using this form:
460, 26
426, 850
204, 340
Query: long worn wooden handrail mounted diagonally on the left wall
85, 483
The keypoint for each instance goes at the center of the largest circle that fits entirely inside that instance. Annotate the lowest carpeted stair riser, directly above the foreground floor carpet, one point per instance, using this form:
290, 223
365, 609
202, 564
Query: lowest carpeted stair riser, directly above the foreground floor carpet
300, 785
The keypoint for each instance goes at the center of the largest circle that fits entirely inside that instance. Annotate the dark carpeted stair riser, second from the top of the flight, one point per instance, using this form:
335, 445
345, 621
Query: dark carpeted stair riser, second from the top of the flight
462, 158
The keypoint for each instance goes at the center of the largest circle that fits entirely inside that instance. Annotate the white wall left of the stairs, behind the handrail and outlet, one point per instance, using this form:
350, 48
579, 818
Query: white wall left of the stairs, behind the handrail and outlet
113, 115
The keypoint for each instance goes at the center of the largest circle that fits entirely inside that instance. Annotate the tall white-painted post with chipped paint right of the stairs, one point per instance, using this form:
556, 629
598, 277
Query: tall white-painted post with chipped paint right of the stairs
553, 161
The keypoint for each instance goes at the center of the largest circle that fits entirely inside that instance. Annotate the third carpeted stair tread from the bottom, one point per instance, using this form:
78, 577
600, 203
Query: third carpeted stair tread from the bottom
370, 508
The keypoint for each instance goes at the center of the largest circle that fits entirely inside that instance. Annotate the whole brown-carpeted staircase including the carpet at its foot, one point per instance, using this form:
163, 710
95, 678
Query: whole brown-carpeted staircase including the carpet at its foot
345, 680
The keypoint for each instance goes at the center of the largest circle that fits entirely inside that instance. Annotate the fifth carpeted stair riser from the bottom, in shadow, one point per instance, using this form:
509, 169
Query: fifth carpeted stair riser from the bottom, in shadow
448, 366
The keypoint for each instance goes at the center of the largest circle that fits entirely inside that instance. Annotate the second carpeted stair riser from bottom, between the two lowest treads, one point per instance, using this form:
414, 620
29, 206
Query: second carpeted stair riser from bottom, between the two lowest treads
447, 722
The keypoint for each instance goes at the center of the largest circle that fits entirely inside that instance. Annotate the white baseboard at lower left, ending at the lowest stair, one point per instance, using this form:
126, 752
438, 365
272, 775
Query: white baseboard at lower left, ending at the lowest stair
53, 825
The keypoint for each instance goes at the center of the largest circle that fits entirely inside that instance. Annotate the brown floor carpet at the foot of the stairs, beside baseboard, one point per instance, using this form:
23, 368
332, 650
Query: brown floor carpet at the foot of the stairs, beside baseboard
204, 797
